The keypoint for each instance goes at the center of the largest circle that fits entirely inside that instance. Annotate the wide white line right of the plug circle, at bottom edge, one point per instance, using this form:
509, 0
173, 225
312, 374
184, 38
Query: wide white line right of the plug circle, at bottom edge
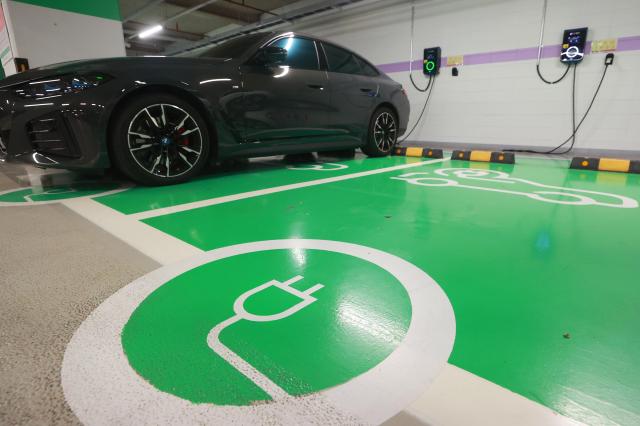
459, 398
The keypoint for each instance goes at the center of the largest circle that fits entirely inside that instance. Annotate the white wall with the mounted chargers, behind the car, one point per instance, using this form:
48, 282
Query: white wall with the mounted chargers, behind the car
503, 103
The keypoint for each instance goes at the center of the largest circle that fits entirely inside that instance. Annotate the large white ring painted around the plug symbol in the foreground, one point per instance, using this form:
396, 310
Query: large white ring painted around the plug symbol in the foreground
102, 388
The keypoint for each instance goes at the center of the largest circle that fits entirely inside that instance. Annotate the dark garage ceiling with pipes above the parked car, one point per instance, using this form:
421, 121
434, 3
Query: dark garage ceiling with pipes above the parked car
194, 24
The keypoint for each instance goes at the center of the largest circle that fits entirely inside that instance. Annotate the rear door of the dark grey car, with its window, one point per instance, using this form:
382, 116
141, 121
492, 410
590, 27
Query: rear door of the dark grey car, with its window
353, 93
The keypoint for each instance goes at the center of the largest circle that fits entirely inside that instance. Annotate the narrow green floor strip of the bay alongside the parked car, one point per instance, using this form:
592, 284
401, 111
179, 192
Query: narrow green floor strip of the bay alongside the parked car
255, 176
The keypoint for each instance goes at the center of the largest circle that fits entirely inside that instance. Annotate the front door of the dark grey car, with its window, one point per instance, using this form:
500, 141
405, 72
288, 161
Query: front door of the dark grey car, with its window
288, 100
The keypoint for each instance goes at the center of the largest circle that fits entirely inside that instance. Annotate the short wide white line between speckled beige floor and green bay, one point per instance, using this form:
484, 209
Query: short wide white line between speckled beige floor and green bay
161, 247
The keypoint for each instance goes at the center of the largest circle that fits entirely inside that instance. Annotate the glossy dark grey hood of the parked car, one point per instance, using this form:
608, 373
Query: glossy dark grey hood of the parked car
102, 65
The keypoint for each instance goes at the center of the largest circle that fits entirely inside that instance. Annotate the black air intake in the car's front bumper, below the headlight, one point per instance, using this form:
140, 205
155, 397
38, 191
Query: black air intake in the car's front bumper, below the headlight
49, 134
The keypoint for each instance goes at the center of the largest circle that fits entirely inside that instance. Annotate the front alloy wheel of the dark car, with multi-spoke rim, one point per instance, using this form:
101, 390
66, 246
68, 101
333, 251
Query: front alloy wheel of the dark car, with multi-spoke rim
164, 140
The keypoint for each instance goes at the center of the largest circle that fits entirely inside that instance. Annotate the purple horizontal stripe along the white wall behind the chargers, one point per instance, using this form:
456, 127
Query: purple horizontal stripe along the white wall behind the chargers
528, 53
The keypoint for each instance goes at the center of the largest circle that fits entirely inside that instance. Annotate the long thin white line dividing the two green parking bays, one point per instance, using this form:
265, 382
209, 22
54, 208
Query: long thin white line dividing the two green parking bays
235, 197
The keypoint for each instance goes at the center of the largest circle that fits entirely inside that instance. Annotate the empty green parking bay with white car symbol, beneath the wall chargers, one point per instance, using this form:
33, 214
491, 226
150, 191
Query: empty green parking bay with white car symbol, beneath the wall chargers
501, 241
